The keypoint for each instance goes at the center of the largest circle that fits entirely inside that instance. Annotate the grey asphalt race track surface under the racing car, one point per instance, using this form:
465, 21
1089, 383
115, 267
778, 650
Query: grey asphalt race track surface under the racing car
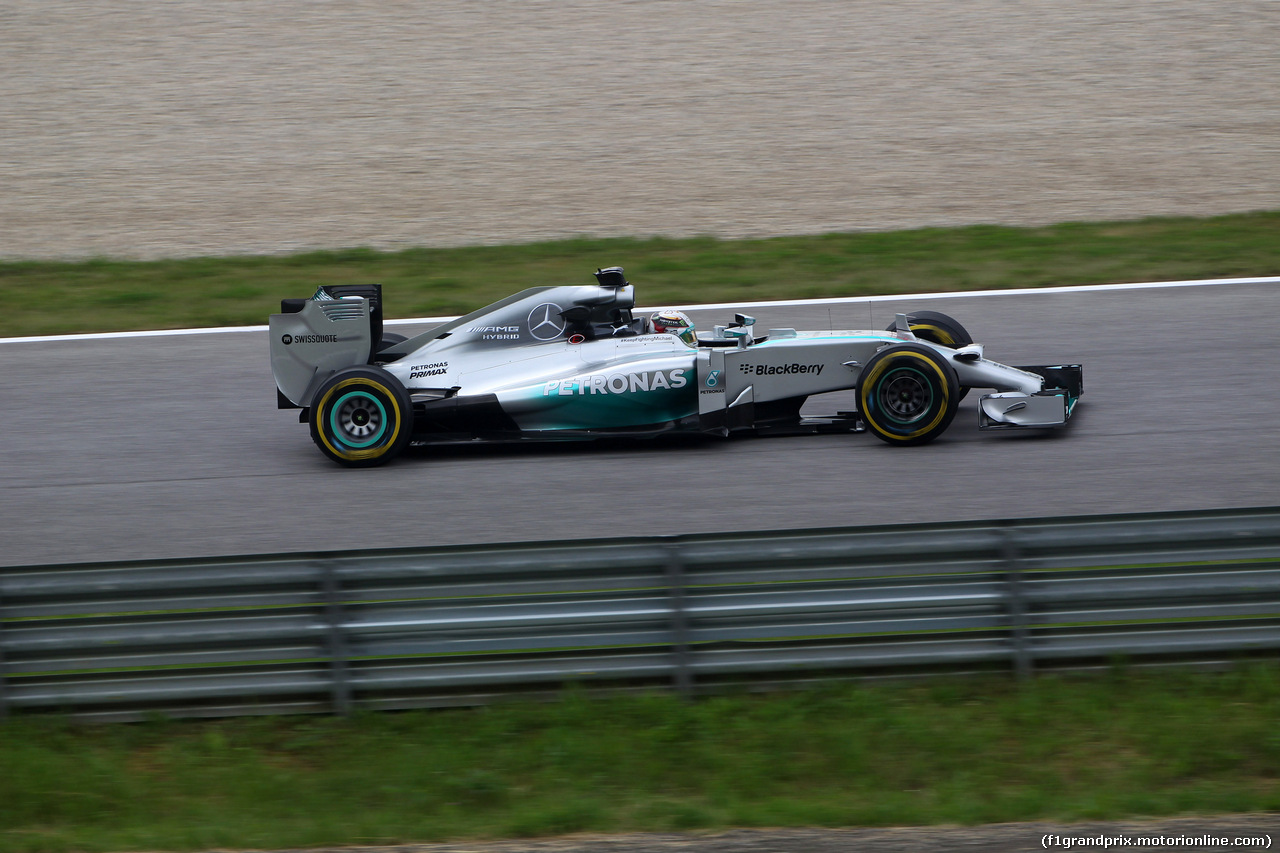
172, 446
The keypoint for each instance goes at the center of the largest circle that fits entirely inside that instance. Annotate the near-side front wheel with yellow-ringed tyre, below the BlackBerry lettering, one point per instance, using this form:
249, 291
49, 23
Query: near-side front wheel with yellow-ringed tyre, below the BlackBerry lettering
908, 395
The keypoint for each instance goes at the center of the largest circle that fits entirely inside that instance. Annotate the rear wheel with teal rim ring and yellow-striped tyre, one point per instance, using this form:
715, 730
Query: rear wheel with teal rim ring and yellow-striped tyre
362, 417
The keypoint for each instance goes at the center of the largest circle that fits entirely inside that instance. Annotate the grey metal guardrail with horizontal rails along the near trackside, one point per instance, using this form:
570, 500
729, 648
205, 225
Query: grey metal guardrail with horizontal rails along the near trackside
435, 627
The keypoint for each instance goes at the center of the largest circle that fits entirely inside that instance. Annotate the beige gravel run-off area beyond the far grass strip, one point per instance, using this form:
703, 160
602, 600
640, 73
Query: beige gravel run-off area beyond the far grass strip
217, 127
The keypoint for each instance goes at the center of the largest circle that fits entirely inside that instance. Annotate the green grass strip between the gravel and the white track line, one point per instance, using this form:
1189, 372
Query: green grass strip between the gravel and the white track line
51, 298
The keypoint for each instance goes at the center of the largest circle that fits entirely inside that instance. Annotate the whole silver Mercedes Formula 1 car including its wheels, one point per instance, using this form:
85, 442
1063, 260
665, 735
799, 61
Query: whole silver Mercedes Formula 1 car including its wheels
572, 363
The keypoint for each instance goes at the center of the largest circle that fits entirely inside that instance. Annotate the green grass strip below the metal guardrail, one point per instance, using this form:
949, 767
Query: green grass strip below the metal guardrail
956, 751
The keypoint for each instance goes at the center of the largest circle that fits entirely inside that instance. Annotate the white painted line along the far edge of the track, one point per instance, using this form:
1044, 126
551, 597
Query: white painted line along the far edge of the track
835, 300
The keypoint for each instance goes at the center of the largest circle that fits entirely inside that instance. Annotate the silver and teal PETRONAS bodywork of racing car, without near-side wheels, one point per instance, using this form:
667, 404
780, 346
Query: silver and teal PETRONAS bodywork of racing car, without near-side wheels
570, 362
